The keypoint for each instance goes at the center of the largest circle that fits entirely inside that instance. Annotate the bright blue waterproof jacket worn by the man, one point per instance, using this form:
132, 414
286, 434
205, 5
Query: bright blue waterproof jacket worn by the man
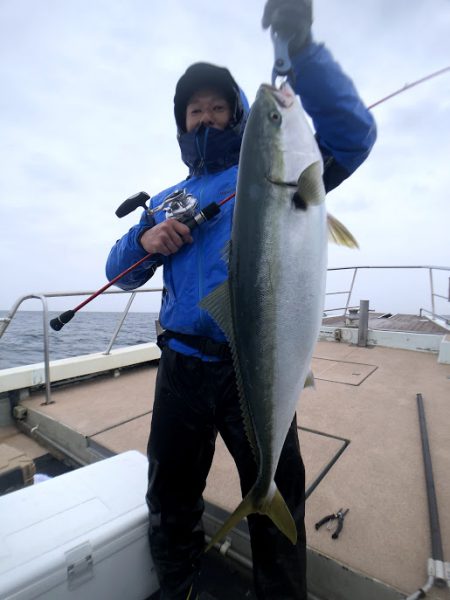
345, 133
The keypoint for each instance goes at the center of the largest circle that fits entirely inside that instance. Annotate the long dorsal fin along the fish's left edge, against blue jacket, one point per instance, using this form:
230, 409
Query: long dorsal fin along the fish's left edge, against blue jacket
218, 305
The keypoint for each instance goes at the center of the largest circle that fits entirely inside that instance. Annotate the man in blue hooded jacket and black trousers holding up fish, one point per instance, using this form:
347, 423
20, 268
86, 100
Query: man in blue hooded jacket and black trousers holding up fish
196, 395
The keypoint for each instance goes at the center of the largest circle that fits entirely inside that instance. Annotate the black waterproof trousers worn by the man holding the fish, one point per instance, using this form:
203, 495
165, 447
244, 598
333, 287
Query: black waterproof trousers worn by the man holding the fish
194, 400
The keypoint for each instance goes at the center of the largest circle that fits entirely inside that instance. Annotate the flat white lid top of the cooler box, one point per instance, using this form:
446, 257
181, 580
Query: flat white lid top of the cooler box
87, 502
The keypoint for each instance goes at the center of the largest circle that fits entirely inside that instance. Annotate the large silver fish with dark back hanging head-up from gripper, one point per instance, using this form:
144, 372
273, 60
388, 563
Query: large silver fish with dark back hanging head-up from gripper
270, 308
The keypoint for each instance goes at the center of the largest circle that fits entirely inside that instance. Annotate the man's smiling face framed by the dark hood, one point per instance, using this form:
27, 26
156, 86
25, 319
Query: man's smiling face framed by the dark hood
208, 107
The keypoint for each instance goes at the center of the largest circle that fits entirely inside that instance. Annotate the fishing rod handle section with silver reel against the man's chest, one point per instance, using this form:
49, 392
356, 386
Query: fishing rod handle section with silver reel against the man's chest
179, 205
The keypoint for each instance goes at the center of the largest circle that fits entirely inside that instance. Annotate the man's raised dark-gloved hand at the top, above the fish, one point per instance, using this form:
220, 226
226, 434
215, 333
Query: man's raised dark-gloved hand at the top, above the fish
290, 19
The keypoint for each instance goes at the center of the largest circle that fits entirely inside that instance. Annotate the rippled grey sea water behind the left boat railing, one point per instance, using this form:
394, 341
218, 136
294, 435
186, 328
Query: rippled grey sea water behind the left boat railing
23, 343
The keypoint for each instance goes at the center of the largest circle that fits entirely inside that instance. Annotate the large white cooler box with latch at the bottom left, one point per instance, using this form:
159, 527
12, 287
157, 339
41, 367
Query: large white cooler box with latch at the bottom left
82, 535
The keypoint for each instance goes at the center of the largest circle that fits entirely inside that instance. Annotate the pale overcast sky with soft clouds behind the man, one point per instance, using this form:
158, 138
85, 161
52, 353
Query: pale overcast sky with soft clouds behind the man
87, 120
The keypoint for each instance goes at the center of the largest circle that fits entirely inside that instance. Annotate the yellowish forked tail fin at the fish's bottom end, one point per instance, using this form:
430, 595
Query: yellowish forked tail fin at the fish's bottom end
276, 510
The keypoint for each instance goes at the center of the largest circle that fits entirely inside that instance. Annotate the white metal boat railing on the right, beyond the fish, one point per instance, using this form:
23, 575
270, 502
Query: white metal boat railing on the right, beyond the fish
432, 314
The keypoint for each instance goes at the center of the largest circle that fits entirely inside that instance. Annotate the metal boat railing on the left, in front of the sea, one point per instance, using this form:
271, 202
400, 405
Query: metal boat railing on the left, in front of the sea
43, 297
